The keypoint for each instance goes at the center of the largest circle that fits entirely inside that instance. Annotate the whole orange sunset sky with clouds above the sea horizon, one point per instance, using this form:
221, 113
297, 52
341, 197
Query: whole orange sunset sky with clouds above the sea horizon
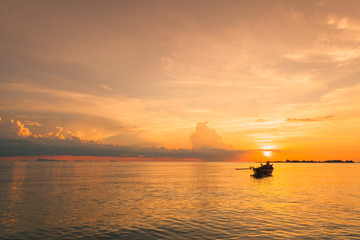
198, 80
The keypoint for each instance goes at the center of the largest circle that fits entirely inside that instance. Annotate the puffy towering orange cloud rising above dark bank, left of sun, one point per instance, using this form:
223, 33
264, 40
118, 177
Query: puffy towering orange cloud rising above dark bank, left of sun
205, 137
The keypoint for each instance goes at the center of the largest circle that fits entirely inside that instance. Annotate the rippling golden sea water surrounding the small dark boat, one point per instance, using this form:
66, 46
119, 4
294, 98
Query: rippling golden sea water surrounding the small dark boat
116, 200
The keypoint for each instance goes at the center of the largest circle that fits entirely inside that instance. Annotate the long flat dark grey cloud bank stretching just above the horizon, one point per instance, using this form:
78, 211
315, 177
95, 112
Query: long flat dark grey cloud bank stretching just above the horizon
37, 147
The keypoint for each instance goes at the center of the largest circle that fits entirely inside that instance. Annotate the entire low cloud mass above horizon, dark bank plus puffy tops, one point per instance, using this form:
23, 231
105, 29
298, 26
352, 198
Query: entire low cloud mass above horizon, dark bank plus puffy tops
207, 145
